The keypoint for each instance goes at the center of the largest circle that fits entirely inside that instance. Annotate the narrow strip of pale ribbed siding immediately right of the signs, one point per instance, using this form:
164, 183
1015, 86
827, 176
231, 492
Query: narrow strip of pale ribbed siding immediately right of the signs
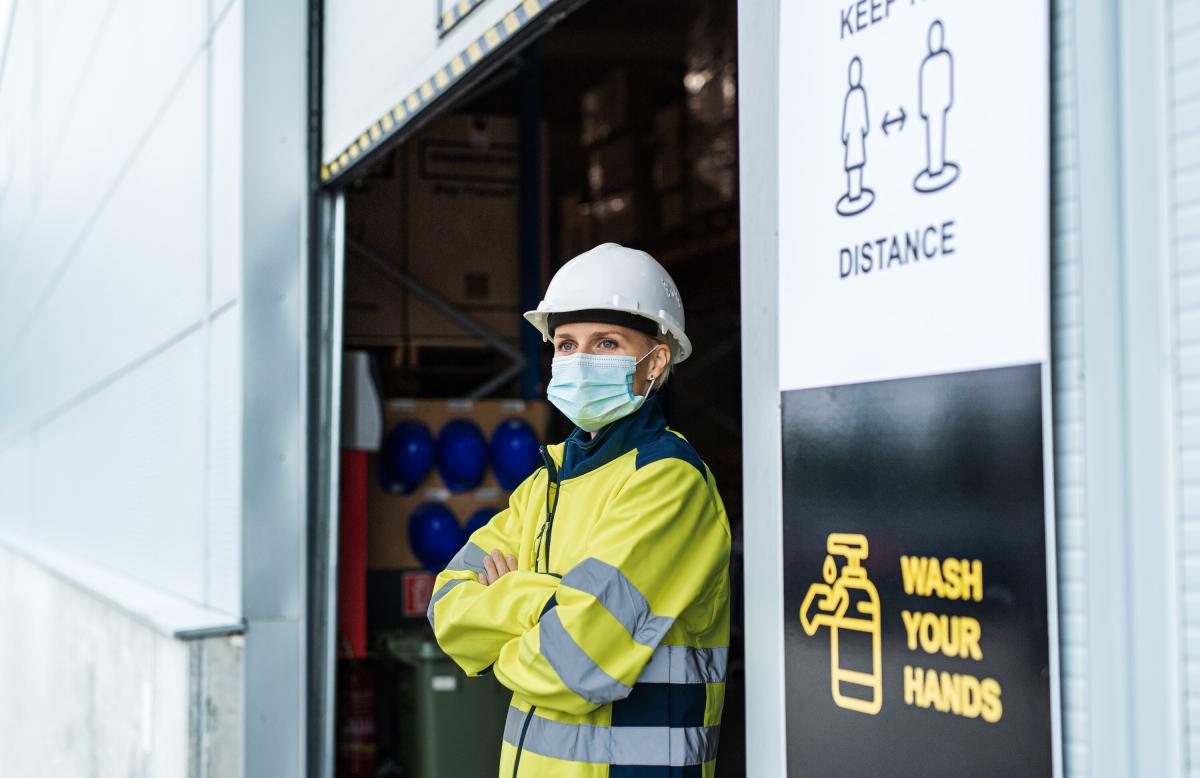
1069, 399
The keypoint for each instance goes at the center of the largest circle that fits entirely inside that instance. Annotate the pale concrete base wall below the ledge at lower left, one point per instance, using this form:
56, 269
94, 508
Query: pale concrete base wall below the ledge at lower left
141, 705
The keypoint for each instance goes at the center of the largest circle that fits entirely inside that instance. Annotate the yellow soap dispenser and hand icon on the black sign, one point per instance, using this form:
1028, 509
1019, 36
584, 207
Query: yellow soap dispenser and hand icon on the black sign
849, 605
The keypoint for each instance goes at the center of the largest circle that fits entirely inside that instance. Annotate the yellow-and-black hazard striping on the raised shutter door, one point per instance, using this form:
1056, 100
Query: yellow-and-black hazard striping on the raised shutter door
442, 79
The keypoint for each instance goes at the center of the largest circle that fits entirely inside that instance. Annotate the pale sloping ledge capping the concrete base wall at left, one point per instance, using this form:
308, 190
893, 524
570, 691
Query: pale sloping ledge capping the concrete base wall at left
164, 613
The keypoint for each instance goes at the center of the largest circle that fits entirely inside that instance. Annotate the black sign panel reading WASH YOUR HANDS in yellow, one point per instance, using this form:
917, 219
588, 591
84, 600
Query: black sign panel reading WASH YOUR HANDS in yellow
915, 574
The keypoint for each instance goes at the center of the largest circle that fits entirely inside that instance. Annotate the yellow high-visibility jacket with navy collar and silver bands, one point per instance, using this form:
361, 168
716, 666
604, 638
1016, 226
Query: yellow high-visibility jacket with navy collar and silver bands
614, 632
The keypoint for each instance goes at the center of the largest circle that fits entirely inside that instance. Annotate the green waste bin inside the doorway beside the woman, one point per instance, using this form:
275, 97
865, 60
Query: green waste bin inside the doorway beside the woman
449, 726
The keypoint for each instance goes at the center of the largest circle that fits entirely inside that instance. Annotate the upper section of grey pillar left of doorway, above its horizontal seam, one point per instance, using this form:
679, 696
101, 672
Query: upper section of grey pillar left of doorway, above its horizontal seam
273, 289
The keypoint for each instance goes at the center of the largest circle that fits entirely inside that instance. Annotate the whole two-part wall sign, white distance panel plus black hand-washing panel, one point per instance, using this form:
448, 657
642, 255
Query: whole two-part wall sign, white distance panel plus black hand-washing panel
914, 339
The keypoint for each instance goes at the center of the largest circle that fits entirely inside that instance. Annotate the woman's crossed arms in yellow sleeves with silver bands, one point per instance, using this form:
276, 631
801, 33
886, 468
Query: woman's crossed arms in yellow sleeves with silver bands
583, 642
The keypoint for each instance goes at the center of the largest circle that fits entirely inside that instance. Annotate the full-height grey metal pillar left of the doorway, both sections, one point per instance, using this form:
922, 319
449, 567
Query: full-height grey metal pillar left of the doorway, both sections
274, 300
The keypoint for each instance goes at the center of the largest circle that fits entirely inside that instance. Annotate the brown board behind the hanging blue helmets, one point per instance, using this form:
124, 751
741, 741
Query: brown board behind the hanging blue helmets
388, 546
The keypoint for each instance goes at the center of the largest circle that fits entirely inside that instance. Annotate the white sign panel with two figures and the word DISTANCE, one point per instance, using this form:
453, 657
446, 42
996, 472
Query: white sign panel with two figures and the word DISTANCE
914, 189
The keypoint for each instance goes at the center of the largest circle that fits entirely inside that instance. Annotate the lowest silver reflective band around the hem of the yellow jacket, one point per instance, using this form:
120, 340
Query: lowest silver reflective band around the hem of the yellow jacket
649, 746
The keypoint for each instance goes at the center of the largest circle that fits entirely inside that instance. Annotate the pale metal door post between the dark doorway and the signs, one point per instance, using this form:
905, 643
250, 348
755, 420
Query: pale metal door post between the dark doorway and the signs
763, 466
